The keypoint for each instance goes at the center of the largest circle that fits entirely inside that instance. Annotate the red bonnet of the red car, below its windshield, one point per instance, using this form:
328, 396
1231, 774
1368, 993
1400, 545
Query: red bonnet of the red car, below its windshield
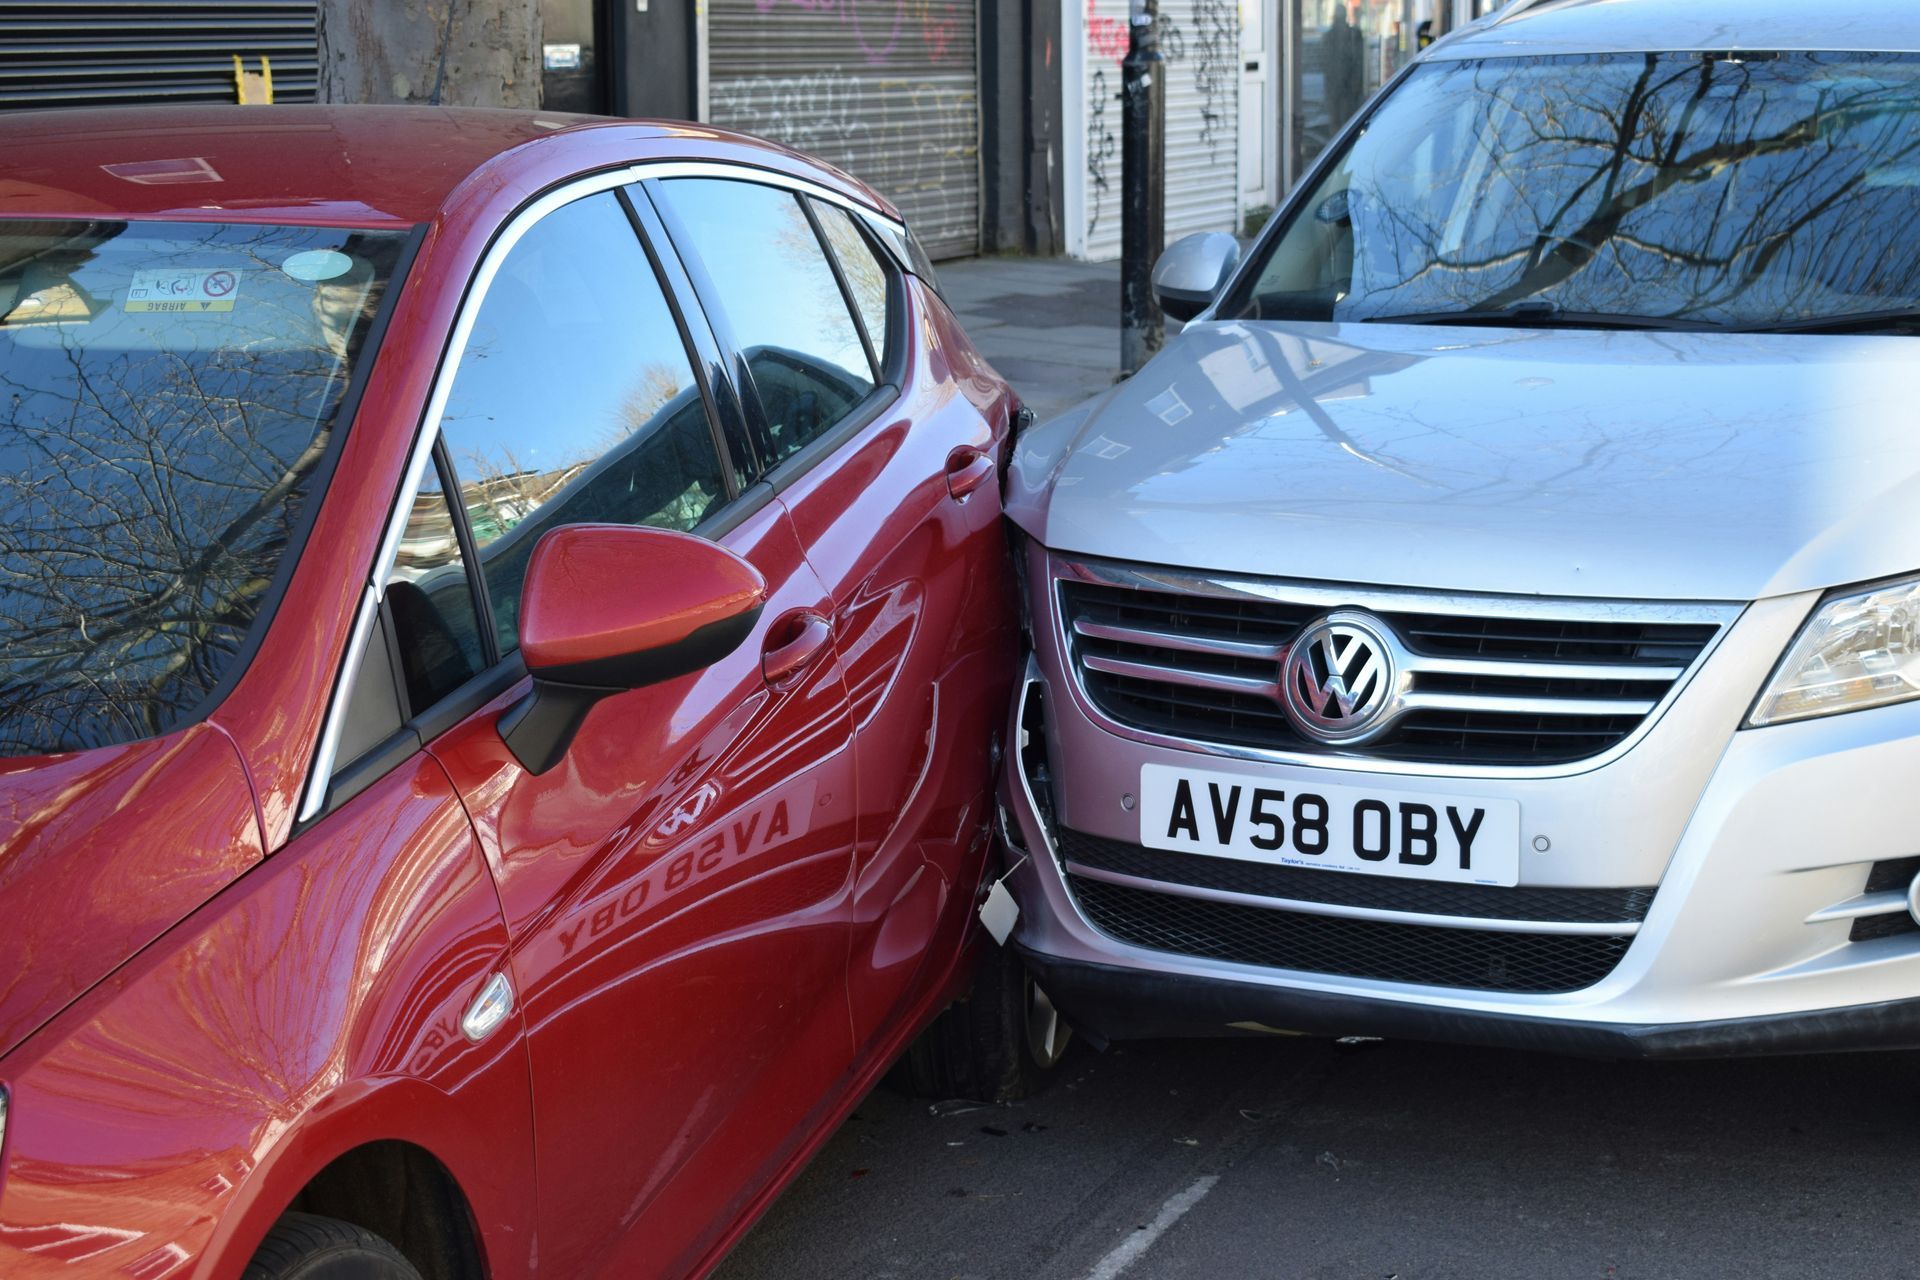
105, 851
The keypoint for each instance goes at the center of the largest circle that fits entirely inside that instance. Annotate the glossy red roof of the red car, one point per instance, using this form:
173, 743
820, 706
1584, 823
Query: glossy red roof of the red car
356, 166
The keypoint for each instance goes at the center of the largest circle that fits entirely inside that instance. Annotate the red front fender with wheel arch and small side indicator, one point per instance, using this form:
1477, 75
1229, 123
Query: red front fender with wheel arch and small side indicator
164, 1122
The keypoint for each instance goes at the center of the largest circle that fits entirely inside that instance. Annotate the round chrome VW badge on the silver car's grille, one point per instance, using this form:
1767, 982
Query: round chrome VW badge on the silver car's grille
1339, 678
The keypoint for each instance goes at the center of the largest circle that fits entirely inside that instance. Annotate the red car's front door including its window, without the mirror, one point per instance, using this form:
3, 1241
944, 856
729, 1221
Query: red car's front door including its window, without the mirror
675, 888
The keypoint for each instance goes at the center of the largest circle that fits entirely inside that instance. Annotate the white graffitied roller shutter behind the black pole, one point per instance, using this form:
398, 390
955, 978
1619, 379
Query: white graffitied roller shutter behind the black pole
1201, 41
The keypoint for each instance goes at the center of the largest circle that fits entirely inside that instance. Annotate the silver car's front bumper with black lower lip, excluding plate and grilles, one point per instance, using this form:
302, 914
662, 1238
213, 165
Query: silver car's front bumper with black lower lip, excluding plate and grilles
1760, 845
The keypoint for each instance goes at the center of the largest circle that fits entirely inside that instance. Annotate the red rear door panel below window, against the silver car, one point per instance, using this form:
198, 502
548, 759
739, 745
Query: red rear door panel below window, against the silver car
926, 628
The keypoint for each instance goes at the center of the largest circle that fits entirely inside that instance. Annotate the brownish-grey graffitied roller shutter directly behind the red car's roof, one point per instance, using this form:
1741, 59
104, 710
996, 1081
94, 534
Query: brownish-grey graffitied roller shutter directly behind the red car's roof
884, 89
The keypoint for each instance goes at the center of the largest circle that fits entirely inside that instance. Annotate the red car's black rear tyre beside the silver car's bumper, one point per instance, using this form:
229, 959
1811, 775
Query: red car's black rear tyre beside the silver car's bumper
999, 1043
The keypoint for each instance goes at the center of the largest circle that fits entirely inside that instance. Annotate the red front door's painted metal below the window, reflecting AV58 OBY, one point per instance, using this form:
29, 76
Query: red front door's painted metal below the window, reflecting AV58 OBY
677, 897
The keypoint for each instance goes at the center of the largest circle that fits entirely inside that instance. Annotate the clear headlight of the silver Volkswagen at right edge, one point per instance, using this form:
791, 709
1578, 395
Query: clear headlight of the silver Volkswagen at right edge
1858, 652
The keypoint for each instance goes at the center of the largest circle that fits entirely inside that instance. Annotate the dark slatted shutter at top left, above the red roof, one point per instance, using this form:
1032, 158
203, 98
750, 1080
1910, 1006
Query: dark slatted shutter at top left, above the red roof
95, 53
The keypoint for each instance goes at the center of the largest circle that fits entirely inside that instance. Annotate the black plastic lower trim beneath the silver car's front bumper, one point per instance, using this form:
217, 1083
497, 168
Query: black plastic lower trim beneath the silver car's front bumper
1111, 1003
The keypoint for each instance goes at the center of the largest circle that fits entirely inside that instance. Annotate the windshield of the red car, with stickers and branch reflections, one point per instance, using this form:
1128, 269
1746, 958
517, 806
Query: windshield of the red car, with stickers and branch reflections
168, 394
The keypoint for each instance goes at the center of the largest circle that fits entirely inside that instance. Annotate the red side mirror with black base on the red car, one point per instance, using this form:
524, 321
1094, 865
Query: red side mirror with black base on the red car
615, 607
